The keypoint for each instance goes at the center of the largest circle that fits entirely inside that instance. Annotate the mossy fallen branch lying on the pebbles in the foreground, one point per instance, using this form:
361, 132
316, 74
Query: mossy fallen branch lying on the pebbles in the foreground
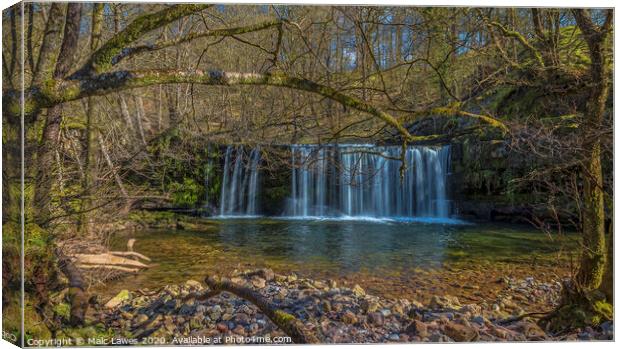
285, 321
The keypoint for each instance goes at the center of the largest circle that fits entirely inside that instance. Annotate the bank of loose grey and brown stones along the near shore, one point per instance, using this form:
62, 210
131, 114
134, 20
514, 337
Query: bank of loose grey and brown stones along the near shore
335, 314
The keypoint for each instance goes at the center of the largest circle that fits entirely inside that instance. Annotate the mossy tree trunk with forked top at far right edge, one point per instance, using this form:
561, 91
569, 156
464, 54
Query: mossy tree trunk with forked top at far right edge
584, 301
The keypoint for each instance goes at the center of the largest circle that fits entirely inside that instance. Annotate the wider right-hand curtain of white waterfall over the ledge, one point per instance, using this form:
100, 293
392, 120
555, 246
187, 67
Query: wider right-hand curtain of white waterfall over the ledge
364, 180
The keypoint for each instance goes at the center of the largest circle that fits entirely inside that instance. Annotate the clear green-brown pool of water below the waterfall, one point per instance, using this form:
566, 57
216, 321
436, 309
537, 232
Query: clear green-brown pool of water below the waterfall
382, 254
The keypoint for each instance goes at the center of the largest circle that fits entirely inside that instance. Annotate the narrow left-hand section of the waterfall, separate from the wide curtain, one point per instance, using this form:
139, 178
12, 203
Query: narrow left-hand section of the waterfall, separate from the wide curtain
240, 185
